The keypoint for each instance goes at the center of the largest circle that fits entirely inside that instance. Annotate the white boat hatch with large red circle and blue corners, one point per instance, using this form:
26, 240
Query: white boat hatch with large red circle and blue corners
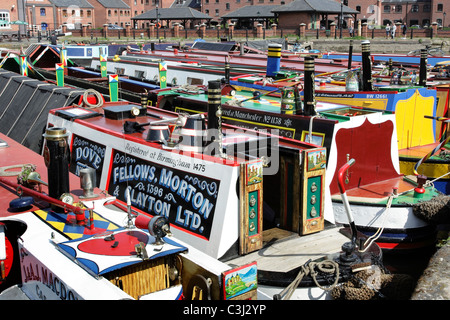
114, 255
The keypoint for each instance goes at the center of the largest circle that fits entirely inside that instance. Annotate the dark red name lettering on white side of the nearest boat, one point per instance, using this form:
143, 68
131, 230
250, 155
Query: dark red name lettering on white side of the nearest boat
47, 278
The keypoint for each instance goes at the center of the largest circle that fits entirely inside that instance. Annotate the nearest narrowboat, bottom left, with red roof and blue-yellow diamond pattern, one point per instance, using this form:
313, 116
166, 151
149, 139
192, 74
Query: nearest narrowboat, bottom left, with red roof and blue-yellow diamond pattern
81, 247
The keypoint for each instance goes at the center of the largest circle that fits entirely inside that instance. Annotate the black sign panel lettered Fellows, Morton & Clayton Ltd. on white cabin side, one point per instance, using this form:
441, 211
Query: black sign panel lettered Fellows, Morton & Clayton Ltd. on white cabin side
187, 200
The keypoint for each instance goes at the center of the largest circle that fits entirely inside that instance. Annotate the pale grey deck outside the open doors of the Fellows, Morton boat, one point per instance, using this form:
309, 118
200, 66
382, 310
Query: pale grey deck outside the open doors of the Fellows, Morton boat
284, 251
